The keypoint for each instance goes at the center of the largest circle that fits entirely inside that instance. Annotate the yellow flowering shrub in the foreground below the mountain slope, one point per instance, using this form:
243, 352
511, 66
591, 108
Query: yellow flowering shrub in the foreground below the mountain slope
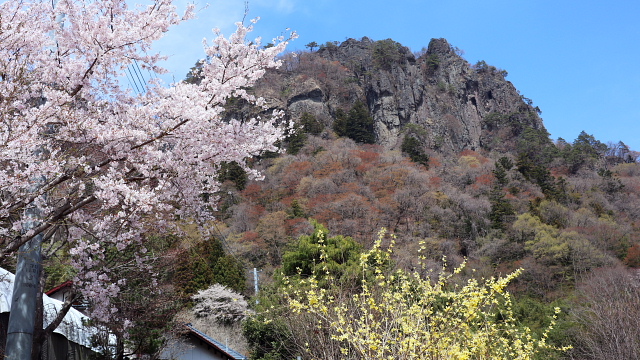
397, 314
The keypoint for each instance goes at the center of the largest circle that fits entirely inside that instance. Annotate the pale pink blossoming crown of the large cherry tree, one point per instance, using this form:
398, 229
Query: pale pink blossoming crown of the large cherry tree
104, 165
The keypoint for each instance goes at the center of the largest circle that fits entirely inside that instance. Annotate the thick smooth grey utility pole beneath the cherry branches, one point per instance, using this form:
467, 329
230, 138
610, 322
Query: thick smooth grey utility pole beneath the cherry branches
23, 301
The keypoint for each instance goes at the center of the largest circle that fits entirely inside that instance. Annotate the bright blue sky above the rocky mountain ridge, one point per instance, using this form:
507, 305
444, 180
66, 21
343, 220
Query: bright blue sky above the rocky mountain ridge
576, 60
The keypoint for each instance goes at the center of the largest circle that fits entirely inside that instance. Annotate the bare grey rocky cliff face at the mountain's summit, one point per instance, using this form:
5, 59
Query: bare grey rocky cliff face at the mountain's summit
451, 104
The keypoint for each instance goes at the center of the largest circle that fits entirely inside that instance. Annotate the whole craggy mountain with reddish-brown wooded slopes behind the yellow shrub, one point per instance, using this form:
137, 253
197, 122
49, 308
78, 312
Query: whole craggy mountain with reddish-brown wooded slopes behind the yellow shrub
455, 163
